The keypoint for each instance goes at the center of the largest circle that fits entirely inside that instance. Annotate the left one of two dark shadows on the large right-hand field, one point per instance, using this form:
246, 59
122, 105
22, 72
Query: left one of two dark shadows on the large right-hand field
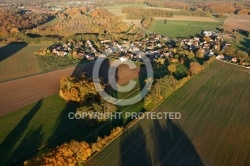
133, 148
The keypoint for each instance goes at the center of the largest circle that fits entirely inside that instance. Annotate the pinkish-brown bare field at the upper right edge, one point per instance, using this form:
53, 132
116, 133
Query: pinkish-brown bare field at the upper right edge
238, 22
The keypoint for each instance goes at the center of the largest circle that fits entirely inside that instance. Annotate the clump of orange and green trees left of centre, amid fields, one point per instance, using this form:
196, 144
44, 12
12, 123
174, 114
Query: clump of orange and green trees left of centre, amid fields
83, 91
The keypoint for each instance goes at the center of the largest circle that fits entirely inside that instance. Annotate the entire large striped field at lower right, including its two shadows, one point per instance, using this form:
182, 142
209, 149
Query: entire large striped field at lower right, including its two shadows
214, 128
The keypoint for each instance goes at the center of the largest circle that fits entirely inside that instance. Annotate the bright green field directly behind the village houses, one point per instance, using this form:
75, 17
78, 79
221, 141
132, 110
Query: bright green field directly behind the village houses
181, 28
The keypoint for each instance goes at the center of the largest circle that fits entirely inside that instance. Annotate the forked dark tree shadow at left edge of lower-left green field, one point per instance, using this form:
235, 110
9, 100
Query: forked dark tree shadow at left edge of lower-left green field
8, 152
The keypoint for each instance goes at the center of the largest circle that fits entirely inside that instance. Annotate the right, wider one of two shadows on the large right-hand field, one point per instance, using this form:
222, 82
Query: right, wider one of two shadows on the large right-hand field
172, 146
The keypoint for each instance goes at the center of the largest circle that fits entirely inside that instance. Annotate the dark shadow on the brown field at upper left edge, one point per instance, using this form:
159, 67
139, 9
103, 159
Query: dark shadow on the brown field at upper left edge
10, 49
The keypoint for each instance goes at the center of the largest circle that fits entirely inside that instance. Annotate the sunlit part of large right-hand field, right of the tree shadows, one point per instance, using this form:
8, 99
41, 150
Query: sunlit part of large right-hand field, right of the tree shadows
215, 113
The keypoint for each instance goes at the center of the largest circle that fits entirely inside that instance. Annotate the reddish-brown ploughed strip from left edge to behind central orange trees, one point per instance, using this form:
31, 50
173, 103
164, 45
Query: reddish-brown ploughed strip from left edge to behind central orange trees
19, 93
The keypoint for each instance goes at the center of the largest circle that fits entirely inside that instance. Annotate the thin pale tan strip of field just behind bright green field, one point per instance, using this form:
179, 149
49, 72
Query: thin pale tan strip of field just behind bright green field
189, 18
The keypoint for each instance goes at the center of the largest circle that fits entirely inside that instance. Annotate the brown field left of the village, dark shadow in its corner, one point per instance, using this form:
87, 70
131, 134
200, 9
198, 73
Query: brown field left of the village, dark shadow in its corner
17, 60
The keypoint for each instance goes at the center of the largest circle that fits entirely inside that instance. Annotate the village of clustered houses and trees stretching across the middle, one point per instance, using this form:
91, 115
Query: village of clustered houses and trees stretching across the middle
153, 46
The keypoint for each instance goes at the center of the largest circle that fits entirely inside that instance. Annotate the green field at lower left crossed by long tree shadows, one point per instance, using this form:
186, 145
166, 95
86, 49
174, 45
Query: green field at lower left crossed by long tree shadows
27, 129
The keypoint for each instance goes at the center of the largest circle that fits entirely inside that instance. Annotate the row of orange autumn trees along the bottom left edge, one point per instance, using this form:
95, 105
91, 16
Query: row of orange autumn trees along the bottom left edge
74, 152
